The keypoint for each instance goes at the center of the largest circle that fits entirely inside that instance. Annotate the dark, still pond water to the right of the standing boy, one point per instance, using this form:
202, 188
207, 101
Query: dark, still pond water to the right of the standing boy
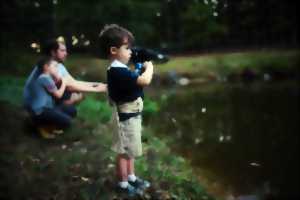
241, 139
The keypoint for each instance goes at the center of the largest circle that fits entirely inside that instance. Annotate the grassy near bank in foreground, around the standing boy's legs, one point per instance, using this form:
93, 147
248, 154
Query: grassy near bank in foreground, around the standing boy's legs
79, 164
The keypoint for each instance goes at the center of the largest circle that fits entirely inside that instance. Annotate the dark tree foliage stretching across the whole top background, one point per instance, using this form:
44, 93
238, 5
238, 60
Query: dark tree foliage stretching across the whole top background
168, 24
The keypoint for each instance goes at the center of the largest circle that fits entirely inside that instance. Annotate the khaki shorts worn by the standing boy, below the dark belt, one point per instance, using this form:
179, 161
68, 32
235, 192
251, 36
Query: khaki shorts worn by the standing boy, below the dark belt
127, 136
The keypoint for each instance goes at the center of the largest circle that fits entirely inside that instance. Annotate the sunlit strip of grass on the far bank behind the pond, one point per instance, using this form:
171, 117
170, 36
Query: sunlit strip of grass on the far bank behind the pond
226, 63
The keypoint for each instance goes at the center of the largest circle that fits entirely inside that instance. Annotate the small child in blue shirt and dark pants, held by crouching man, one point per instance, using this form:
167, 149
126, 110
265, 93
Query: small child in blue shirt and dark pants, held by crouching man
40, 95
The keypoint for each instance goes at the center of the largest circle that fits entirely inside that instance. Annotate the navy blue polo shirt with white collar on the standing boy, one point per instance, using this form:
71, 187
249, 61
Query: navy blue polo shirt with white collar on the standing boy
122, 83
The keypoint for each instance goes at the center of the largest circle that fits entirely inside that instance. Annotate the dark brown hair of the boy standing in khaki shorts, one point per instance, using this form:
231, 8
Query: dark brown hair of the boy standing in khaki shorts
113, 35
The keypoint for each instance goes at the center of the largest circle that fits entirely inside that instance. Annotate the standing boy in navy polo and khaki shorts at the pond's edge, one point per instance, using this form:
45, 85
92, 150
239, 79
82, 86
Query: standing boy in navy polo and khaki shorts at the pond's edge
125, 89
